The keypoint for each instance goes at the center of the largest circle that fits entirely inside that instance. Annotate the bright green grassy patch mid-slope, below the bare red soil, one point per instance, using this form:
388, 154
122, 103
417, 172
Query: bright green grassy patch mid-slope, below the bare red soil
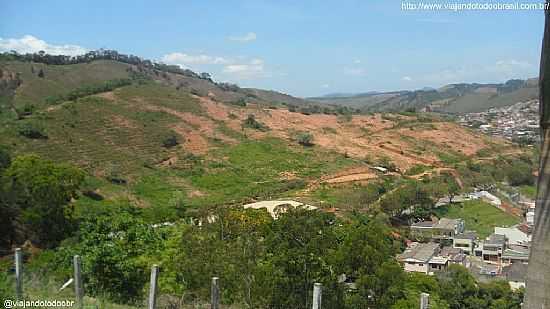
255, 169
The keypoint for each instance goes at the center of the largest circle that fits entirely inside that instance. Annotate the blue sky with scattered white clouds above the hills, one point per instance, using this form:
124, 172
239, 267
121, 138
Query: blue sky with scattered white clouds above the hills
304, 48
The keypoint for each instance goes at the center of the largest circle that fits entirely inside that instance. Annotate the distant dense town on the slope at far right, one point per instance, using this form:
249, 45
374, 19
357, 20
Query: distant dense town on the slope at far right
517, 122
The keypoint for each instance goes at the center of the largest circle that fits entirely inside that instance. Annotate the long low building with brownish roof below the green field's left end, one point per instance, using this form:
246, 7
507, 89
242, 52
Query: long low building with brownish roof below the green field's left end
438, 230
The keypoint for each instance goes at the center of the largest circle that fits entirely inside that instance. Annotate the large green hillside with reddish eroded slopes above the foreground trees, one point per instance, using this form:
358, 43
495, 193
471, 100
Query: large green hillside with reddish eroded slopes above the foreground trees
161, 139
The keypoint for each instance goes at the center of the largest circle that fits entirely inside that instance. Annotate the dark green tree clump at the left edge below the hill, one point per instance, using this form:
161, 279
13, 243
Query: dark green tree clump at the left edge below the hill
35, 197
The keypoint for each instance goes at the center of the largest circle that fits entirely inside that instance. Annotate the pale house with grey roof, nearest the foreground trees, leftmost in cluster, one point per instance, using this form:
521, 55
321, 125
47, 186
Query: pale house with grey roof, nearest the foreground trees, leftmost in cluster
417, 257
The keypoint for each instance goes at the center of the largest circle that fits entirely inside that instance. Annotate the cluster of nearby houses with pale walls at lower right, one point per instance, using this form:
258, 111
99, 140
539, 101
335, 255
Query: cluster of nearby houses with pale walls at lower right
503, 255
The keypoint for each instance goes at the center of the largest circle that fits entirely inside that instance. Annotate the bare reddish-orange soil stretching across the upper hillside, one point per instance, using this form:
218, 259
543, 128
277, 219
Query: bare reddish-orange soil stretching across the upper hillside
363, 136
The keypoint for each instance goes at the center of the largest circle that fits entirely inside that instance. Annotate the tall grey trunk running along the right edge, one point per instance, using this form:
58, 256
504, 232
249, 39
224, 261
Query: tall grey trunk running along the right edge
538, 275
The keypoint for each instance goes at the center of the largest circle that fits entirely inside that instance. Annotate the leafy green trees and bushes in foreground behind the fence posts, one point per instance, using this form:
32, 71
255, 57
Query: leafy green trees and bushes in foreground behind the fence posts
262, 263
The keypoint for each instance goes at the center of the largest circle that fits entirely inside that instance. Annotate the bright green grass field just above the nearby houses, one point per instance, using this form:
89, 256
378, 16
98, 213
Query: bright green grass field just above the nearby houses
479, 216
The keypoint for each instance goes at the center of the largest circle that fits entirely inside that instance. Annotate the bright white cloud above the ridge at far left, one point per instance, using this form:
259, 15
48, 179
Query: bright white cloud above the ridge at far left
31, 44
